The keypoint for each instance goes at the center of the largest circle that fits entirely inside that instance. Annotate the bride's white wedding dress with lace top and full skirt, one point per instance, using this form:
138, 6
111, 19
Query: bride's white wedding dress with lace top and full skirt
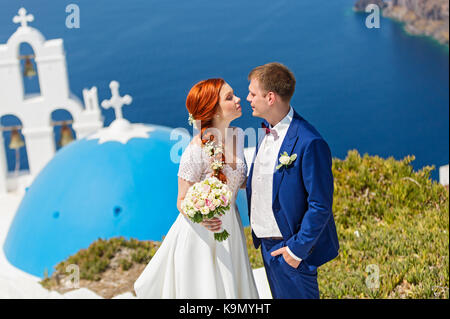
189, 262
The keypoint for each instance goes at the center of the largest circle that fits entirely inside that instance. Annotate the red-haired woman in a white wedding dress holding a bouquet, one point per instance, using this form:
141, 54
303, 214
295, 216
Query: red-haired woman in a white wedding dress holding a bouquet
190, 263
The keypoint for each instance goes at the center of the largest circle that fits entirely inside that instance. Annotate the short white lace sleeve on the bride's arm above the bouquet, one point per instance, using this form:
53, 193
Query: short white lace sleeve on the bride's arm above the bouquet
192, 164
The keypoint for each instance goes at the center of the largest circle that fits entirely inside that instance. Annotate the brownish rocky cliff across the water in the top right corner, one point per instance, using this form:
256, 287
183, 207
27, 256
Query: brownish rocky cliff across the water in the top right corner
421, 17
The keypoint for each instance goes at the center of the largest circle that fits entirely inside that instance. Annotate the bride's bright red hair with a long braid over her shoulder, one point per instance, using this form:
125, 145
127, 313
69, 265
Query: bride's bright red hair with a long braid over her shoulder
203, 103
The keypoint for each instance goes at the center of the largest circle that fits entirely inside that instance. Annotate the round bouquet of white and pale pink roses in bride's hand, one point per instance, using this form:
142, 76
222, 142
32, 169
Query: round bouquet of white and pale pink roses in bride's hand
207, 199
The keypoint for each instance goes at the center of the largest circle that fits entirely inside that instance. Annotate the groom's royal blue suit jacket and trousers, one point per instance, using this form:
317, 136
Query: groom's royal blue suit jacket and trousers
302, 206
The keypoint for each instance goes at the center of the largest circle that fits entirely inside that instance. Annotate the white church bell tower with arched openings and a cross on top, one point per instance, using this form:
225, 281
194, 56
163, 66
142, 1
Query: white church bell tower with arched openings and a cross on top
34, 111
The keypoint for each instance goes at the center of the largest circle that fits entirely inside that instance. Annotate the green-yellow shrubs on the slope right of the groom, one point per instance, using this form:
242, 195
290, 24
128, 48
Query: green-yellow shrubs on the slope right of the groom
389, 216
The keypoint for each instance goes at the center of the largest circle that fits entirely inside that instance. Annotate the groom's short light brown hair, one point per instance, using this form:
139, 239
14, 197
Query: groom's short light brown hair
275, 77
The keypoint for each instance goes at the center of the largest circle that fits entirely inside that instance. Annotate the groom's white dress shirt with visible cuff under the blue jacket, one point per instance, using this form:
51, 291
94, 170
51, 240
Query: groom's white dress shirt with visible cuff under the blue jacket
262, 218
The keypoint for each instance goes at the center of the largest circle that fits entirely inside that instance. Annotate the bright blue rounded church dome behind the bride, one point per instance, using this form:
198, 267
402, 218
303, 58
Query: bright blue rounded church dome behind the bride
98, 189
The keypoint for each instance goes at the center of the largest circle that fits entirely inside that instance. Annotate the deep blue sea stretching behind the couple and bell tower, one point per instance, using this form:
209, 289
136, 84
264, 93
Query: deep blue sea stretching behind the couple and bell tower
380, 91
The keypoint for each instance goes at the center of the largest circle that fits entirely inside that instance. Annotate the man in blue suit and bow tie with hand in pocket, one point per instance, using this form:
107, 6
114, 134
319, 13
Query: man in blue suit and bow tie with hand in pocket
290, 195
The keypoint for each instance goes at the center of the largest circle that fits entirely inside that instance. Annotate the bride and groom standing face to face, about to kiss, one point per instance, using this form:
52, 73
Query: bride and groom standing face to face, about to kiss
289, 198
